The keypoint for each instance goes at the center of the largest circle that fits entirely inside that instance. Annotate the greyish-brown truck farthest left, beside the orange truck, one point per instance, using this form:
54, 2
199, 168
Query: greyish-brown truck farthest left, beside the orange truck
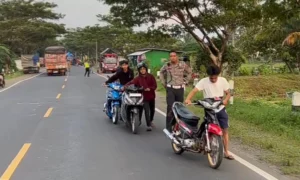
30, 64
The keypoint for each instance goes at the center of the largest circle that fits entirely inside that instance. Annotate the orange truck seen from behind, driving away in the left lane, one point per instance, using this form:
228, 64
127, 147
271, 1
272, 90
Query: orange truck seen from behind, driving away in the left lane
56, 60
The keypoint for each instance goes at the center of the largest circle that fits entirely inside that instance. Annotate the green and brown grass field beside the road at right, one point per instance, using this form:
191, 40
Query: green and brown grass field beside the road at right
264, 121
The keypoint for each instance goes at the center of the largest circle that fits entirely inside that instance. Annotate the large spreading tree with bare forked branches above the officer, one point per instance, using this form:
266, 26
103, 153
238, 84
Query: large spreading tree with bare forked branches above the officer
211, 18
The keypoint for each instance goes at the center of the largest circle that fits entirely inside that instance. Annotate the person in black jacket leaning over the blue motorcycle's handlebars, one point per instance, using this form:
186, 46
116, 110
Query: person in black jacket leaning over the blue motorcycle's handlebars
124, 75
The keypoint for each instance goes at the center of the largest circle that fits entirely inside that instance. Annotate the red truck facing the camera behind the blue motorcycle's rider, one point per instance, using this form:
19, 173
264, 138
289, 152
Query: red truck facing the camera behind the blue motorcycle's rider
109, 63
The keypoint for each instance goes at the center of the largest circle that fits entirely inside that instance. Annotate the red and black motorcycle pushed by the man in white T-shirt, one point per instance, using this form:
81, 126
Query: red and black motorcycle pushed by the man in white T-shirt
187, 136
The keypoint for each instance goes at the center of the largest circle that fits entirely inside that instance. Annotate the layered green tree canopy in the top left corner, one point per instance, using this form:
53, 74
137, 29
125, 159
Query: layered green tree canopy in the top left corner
25, 26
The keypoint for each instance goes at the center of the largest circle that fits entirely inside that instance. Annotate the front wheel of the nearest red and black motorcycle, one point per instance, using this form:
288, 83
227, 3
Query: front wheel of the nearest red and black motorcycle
215, 157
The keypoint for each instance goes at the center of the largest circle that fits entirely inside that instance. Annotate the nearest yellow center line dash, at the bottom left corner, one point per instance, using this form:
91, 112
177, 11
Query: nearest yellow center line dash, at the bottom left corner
14, 164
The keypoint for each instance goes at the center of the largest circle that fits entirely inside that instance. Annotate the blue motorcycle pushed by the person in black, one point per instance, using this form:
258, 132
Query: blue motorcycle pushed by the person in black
113, 104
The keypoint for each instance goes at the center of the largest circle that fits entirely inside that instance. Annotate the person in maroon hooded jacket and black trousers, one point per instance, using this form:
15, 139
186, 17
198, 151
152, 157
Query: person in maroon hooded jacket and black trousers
148, 82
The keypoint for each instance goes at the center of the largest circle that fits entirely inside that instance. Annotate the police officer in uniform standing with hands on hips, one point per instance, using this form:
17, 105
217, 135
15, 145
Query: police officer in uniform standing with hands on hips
174, 75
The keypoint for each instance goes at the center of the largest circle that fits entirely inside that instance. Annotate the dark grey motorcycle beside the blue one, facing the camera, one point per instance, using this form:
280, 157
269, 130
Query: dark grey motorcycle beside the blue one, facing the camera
132, 107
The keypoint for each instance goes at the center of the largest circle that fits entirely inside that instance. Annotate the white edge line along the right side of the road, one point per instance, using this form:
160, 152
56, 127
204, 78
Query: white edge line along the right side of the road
237, 158
